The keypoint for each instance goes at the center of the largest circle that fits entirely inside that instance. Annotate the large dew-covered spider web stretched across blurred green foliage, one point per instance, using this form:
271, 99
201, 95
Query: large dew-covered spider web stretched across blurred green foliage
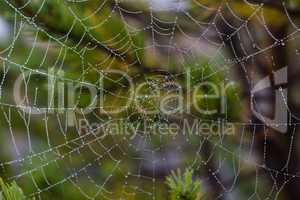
47, 155
